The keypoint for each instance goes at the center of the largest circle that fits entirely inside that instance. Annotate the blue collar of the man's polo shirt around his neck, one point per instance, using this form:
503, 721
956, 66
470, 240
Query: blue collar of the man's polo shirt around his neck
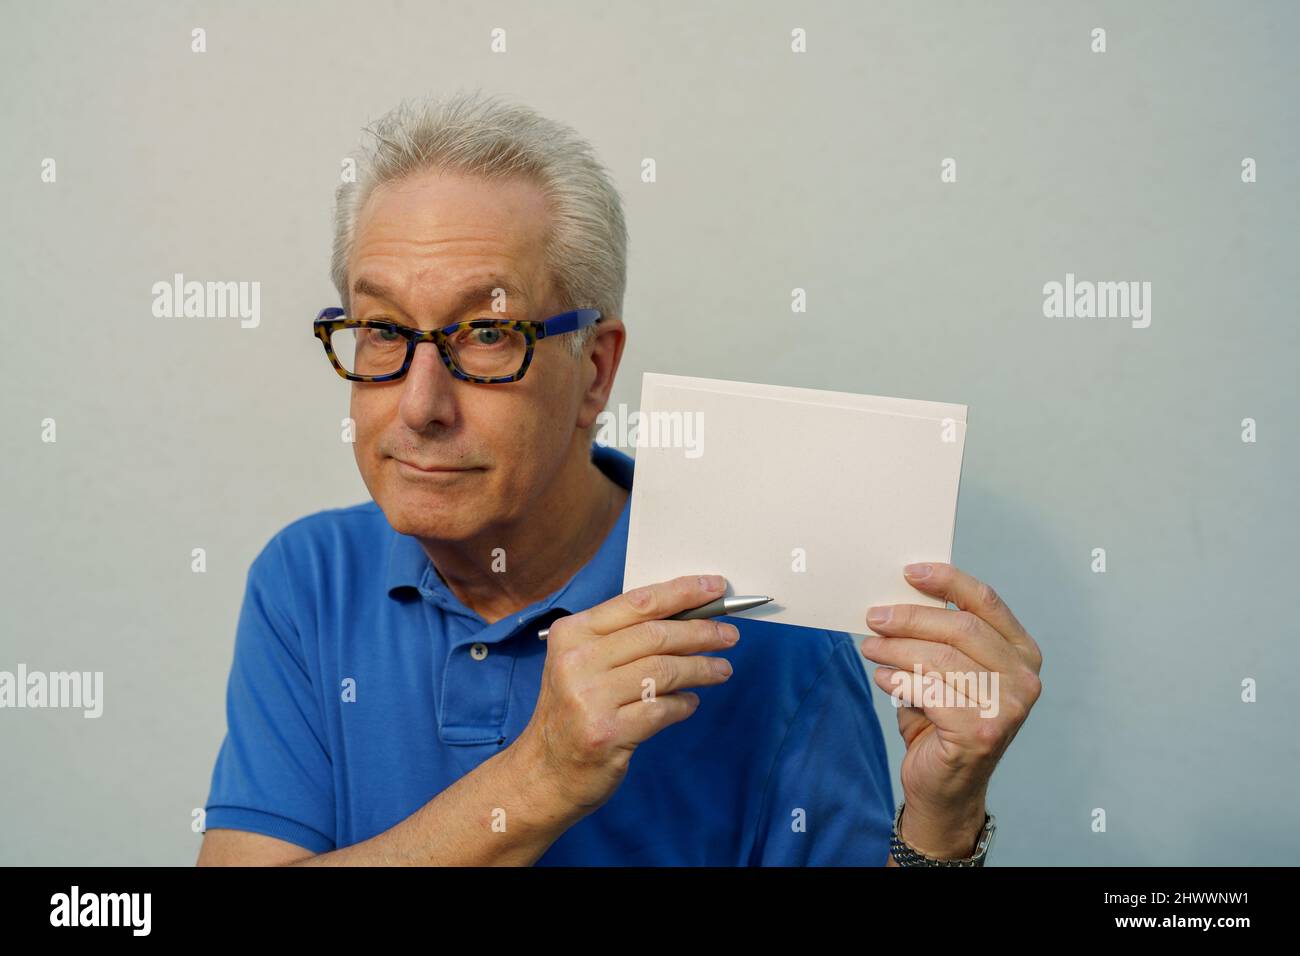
411, 573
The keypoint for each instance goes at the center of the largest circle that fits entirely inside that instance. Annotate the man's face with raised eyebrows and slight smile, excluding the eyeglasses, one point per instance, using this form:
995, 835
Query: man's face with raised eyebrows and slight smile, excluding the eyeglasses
419, 246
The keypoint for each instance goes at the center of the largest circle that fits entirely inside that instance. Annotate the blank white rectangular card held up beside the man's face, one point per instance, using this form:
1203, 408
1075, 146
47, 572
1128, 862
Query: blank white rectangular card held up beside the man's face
817, 499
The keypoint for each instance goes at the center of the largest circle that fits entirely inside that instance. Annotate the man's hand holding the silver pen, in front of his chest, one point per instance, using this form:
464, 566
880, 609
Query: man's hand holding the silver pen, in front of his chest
595, 706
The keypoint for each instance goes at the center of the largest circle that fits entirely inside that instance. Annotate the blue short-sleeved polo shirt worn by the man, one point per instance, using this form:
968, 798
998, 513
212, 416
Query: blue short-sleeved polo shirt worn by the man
362, 687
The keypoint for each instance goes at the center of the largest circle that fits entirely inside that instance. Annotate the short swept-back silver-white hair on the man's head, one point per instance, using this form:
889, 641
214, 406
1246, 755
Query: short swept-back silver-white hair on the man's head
587, 243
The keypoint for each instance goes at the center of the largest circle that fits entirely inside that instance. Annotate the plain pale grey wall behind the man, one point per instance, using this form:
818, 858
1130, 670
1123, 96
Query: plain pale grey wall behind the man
775, 171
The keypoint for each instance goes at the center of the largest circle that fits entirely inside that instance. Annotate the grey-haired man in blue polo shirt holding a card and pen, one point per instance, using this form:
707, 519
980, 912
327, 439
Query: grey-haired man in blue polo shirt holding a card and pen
391, 700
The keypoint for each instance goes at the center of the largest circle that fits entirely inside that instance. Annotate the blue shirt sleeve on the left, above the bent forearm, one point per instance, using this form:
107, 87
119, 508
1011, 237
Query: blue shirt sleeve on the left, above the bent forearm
274, 773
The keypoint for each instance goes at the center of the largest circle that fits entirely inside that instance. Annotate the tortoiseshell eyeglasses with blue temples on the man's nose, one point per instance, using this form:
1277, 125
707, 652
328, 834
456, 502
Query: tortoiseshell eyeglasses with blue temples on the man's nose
488, 352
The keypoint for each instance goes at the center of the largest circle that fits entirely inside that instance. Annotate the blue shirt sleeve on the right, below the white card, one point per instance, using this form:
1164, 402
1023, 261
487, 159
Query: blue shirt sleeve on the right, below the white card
829, 801
